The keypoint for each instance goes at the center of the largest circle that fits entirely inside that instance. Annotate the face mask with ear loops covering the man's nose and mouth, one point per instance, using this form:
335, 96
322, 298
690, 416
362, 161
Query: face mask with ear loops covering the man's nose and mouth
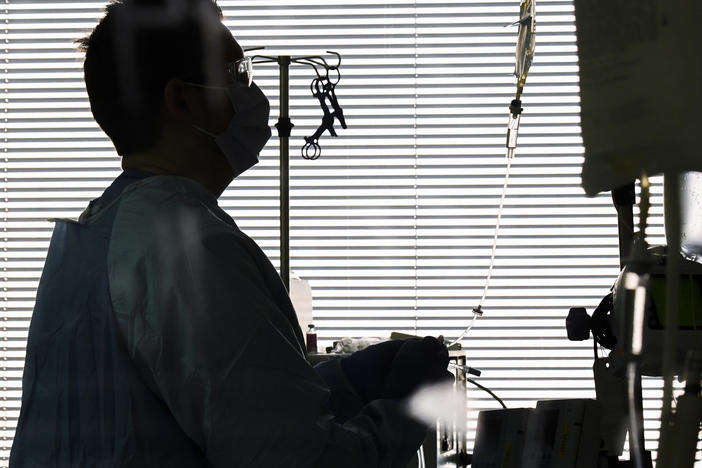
248, 131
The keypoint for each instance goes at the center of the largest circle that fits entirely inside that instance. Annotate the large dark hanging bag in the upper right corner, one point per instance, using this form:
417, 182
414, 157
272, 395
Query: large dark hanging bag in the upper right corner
640, 74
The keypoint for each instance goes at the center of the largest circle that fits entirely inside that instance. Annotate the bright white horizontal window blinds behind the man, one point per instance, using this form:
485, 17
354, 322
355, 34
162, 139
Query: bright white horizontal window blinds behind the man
393, 225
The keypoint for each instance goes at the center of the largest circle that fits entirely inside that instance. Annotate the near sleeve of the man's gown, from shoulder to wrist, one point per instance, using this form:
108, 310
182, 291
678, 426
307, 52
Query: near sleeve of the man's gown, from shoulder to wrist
207, 336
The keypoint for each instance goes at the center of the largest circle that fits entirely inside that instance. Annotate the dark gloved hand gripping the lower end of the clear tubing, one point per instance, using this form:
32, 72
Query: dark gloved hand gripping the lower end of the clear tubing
417, 363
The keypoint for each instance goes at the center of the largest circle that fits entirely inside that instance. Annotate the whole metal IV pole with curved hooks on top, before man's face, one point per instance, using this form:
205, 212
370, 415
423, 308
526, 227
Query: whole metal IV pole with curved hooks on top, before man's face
285, 127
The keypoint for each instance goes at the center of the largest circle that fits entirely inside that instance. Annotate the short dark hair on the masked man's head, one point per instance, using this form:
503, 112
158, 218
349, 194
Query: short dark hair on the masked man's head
138, 46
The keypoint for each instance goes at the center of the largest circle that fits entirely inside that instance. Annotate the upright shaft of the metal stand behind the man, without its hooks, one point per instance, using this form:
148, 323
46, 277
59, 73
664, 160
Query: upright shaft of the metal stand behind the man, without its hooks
284, 127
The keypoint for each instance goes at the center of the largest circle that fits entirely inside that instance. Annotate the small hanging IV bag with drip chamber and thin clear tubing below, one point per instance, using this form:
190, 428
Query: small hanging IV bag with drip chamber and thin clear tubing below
523, 58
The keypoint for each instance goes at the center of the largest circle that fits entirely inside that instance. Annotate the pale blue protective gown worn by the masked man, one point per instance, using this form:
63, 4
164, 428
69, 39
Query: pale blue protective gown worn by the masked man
163, 337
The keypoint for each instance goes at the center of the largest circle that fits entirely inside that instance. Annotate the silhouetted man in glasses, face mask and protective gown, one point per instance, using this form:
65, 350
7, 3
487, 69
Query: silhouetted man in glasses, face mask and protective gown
162, 336
